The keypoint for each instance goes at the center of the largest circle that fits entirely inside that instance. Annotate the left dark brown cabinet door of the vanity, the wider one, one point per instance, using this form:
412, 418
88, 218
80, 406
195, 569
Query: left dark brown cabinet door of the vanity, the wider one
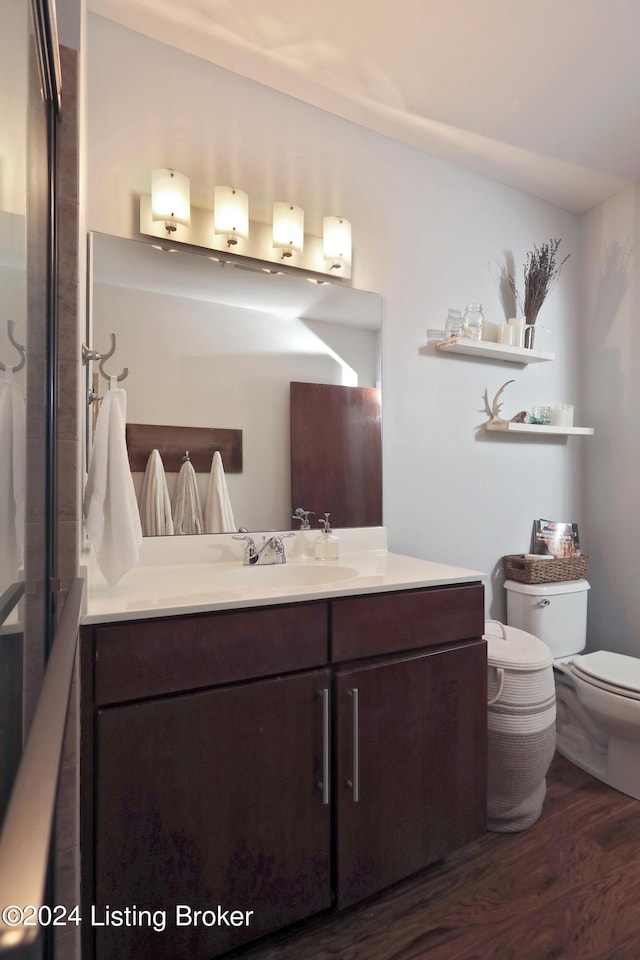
212, 802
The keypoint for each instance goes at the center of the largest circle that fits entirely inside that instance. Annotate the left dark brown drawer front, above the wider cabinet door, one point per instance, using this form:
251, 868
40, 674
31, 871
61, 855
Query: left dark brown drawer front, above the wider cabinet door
147, 658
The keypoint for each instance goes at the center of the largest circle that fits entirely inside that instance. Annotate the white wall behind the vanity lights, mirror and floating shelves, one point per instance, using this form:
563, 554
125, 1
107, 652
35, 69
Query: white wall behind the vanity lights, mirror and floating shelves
426, 235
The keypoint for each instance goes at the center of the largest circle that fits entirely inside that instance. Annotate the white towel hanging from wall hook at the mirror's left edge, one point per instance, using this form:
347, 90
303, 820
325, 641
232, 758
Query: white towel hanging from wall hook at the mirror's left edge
110, 506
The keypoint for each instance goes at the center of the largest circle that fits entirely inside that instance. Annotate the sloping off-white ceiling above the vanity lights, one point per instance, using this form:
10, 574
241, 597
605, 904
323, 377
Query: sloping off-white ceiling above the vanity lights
540, 96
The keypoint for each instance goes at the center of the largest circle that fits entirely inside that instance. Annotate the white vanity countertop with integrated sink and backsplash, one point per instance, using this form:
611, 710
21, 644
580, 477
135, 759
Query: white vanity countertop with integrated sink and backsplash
198, 574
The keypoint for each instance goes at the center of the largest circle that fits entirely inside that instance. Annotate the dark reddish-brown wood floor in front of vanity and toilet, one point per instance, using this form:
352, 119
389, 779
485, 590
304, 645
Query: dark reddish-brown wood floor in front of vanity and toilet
568, 887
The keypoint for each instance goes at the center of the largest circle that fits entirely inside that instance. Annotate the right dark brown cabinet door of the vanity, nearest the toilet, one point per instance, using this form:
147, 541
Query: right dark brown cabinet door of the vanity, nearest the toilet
411, 765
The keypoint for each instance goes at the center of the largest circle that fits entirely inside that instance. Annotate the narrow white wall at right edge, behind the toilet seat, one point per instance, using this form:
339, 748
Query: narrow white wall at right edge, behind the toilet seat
609, 330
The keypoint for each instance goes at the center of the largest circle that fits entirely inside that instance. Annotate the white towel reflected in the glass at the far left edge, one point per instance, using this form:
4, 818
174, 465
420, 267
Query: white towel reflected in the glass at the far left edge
12, 480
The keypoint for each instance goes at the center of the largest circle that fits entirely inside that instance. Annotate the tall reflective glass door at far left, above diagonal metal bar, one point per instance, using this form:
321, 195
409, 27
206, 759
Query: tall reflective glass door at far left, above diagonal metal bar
28, 118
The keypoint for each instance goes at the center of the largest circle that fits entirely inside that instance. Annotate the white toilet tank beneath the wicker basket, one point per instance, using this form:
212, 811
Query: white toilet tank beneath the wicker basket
556, 613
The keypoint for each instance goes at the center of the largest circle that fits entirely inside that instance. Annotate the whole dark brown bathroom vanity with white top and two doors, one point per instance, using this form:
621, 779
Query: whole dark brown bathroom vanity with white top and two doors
266, 758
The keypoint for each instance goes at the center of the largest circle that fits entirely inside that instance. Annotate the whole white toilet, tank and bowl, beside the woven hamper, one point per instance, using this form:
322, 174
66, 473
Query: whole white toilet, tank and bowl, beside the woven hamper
597, 694
